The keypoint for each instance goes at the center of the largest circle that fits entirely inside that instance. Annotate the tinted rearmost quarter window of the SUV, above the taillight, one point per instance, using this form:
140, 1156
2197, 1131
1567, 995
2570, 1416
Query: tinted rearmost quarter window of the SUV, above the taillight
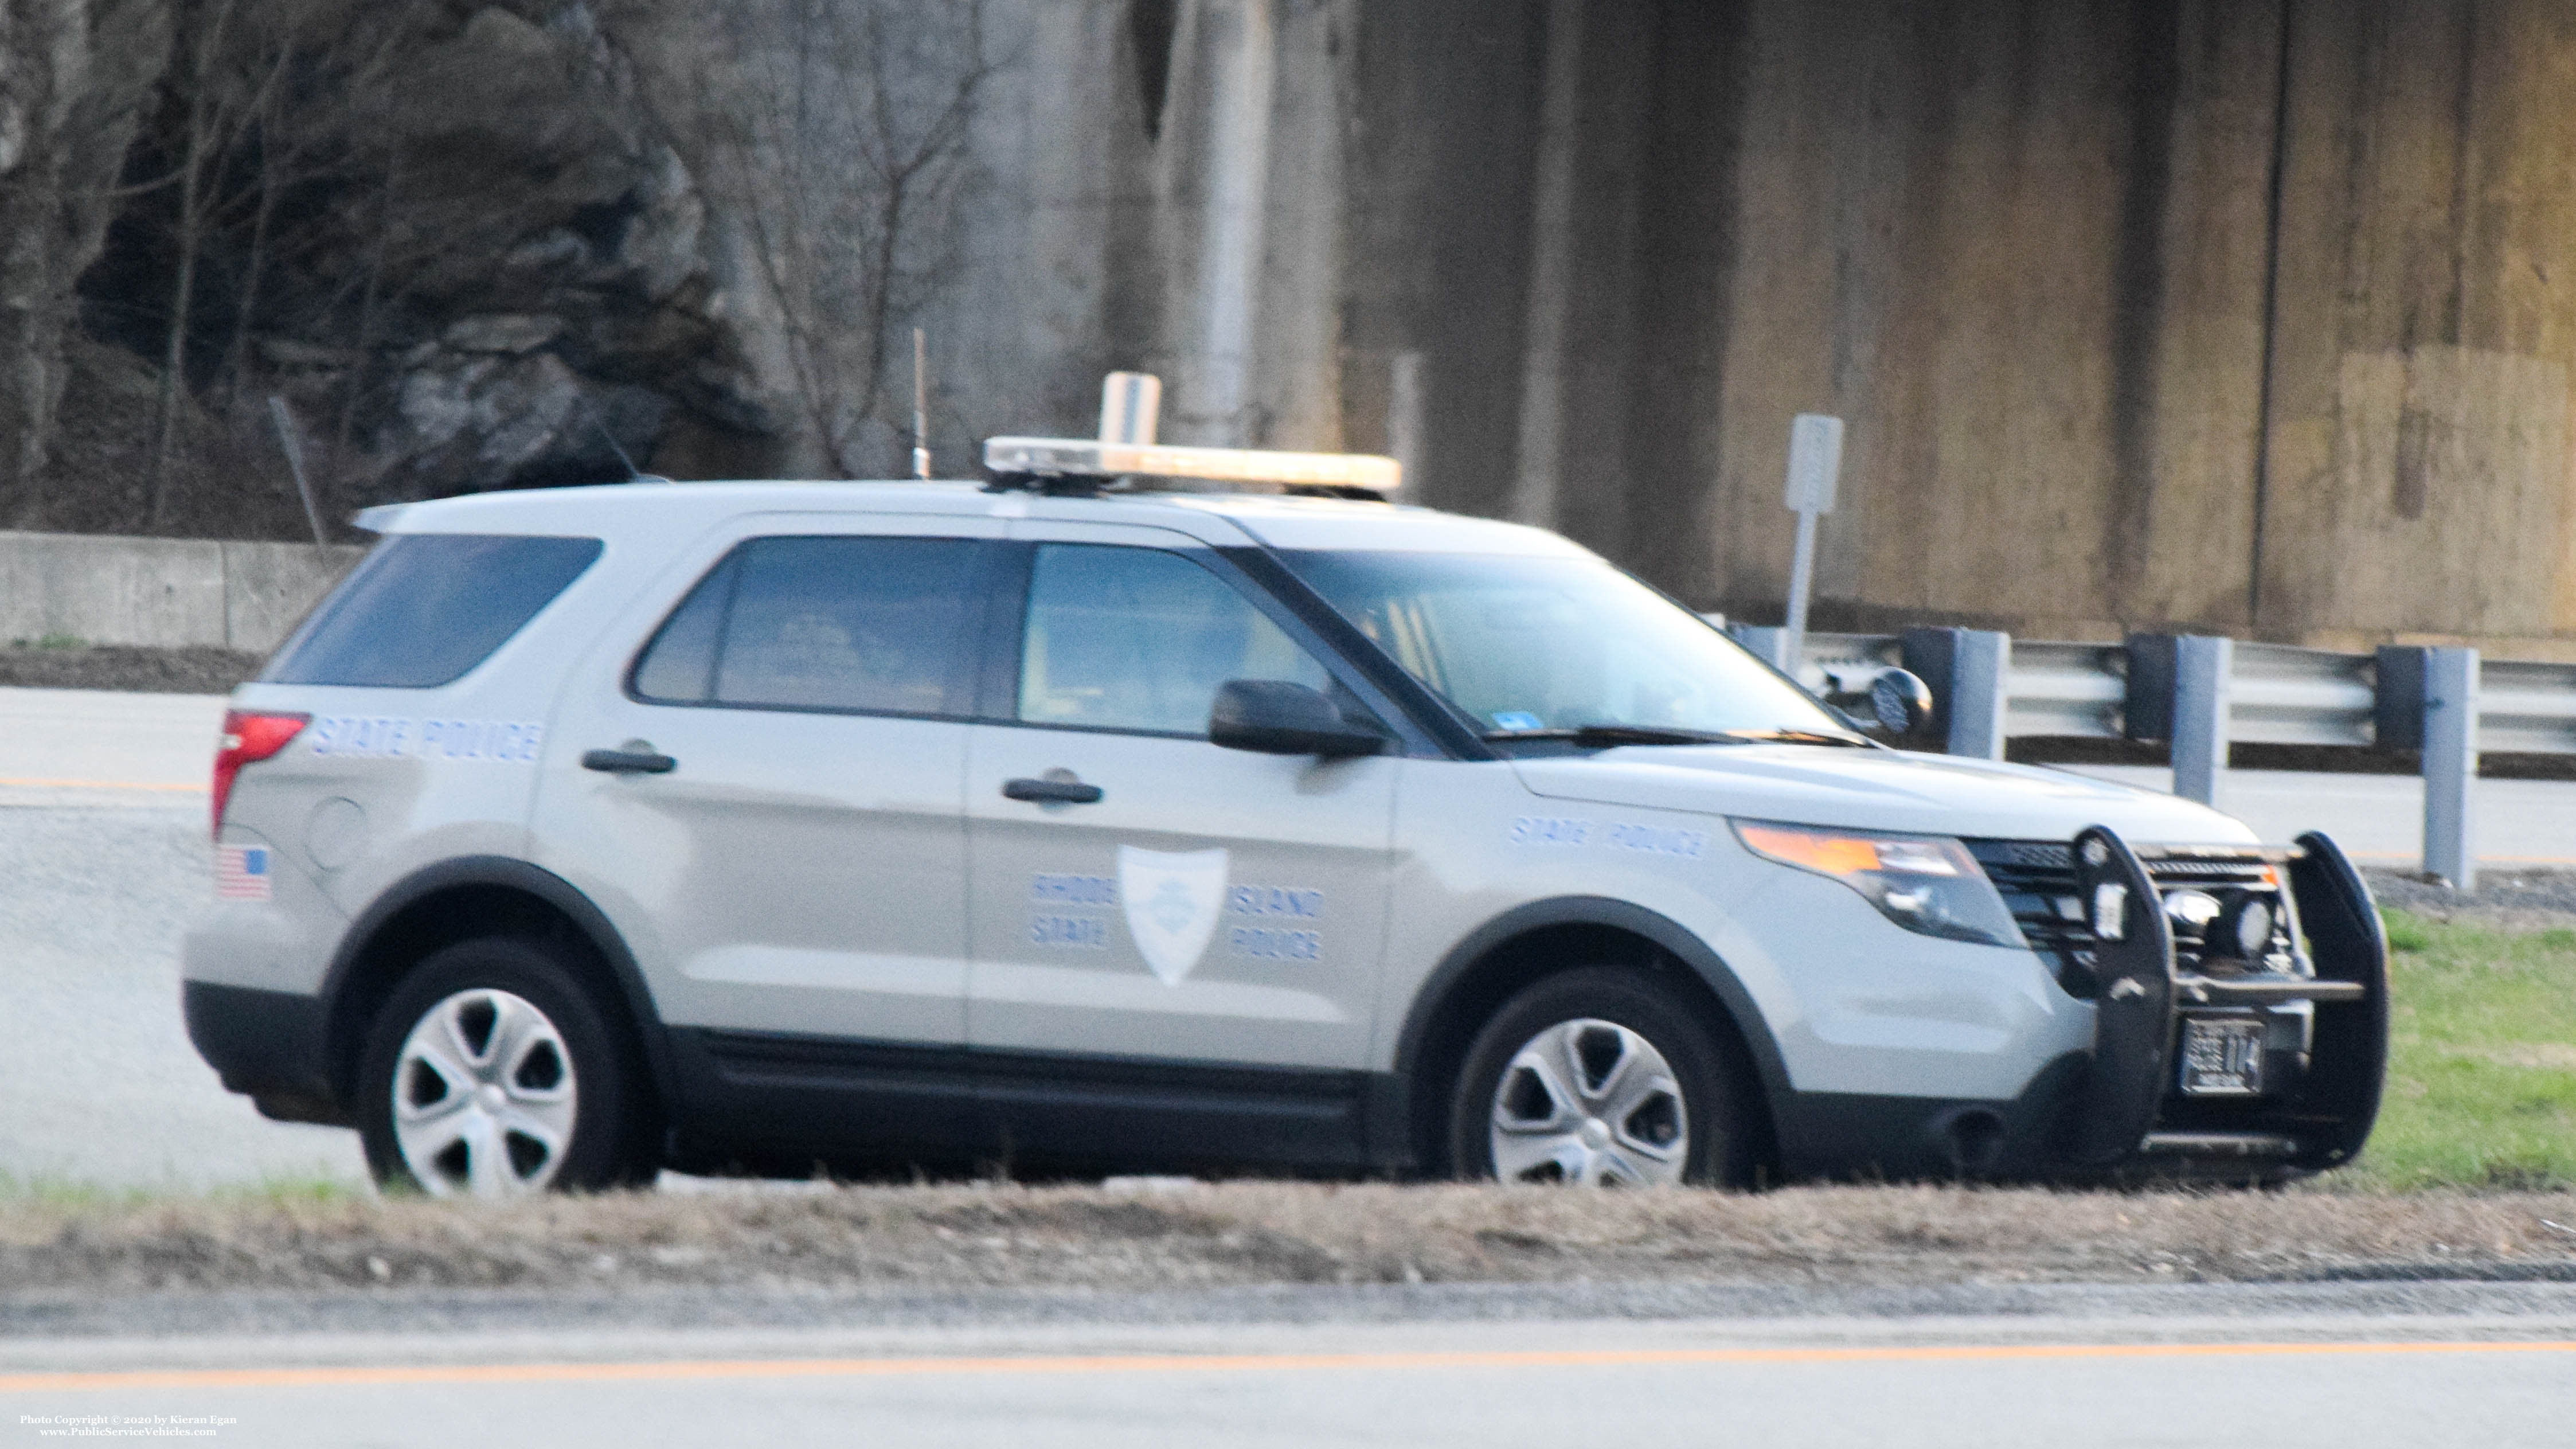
429, 607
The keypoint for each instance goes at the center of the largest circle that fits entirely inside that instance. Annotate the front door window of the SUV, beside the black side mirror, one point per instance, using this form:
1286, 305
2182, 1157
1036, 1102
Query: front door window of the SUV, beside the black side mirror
1140, 641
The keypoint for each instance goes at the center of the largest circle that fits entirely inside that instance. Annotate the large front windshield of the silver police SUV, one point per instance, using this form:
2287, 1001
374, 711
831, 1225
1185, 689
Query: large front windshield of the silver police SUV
1557, 646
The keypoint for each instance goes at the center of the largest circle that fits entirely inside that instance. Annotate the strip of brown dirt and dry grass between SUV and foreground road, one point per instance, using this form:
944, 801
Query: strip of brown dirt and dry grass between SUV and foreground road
1279, 1234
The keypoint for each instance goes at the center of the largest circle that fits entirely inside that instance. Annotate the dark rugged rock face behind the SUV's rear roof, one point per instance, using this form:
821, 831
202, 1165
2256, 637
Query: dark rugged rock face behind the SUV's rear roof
560, 342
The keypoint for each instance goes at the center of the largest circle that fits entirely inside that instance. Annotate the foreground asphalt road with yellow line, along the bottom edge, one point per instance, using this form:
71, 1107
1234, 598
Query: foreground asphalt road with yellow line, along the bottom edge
1928, 1383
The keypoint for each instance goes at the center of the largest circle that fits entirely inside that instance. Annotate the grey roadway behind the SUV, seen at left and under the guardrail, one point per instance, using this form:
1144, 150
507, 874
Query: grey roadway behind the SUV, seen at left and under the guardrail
104, 857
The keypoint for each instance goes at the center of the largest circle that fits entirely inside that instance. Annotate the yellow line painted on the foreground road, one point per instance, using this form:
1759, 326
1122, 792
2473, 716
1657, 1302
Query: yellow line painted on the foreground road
1199, 1365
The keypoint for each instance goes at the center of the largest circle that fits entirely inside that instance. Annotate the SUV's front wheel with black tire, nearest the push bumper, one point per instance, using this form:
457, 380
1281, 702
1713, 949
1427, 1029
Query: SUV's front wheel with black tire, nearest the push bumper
1601, 1079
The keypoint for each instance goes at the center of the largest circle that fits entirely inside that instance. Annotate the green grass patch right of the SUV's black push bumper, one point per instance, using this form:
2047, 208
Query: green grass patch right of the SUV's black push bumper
2482, 1069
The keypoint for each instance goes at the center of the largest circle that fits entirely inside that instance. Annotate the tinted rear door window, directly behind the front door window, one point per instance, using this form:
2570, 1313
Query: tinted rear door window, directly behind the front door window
844, 625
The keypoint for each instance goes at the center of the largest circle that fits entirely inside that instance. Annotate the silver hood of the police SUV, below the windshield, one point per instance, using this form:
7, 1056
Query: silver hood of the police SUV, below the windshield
1877, 790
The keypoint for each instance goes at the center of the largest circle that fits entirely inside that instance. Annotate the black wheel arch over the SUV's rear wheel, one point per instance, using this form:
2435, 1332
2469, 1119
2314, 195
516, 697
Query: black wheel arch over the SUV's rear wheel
465, 899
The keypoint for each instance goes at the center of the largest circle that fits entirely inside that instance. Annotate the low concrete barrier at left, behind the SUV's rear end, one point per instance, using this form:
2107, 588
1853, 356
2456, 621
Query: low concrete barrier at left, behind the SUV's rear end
161, 592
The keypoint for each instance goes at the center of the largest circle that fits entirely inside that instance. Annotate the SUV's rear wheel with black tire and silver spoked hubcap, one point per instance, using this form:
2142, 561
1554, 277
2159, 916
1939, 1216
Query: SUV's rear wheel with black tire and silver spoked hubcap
493, 1071
